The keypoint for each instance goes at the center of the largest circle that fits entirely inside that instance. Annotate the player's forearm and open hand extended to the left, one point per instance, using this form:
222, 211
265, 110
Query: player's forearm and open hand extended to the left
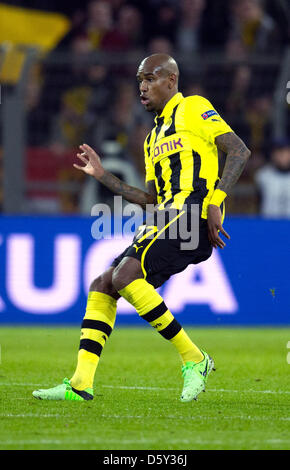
94, 168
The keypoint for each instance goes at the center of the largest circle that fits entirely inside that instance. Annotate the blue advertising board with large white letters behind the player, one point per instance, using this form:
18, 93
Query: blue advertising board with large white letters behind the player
48, 263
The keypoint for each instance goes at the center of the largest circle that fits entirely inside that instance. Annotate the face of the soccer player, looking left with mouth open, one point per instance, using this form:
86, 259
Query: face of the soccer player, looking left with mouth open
154, 87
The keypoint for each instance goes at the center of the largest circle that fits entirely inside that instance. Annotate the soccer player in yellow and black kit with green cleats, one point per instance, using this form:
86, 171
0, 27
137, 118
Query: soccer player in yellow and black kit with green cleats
181, 159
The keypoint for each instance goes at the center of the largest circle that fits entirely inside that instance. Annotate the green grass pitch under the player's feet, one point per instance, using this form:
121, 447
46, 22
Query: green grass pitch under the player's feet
137, 389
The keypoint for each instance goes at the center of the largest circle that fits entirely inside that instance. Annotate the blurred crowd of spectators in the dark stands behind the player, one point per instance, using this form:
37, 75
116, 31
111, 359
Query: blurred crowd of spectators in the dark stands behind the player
85, 90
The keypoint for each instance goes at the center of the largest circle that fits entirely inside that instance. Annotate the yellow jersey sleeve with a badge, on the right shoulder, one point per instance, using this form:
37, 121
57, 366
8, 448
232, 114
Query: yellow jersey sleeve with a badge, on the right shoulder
203, 119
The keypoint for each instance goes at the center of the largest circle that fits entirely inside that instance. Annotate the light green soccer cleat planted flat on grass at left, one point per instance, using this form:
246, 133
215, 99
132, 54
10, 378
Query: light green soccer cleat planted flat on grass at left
64, 392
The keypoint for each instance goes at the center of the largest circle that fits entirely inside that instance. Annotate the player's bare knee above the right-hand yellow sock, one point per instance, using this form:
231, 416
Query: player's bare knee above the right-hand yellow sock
126, 272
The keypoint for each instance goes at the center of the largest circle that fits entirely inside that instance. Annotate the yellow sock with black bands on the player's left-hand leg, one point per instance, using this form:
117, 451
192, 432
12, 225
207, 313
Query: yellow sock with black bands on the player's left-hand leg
97, 326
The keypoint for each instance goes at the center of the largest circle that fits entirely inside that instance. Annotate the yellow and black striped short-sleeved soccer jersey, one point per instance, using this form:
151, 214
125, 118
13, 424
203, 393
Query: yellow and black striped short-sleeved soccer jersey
180, 152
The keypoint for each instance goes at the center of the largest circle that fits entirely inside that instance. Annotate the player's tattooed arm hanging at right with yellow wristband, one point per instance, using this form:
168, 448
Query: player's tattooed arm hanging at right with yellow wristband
236, 159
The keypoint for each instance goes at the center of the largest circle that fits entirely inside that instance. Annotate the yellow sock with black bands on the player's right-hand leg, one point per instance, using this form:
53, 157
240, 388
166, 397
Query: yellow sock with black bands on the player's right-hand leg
151, 307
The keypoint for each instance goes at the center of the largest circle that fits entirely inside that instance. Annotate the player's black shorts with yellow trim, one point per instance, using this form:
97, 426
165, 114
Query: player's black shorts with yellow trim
157, 245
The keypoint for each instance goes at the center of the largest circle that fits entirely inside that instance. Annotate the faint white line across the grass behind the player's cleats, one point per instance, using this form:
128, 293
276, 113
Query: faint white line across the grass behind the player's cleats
125, 387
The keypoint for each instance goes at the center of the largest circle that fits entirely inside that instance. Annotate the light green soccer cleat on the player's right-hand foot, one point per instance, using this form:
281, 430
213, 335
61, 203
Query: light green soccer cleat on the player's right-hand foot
195, 376
